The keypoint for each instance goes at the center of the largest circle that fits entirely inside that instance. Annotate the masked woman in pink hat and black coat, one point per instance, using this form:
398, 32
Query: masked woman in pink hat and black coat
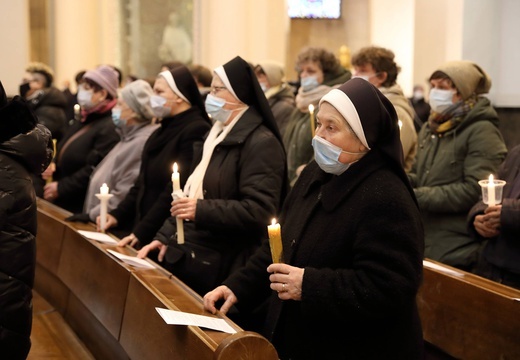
85, 143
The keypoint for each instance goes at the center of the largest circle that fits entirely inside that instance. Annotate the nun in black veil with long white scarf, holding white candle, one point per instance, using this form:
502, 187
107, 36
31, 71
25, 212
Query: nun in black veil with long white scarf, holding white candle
237, 187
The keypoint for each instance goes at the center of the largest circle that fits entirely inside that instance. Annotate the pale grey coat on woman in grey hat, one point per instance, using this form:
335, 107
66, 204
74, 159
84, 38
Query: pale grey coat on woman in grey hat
119, 169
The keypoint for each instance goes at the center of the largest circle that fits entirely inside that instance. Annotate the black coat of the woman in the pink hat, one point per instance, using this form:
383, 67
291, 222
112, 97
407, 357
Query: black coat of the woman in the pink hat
75, 160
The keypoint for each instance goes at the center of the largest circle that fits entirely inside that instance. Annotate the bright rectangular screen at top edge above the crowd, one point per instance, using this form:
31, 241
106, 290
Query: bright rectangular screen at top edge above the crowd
314, 9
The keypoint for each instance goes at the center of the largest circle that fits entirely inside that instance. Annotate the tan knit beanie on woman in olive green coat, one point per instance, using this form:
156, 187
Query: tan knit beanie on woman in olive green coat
467, 77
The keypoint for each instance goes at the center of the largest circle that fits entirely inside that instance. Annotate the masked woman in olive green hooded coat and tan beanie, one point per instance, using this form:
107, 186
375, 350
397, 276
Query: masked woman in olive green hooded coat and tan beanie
458, 146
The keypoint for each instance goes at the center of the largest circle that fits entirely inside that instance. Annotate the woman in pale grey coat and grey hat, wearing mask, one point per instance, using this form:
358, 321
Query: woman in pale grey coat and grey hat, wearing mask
120, 168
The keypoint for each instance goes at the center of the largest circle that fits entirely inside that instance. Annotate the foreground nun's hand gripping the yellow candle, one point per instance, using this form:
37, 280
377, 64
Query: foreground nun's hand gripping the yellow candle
286, 280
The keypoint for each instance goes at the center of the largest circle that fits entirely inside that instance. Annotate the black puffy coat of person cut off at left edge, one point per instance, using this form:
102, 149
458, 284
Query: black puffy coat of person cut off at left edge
19, 157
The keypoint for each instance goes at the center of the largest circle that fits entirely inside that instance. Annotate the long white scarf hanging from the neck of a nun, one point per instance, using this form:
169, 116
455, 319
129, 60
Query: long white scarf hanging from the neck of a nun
218, 132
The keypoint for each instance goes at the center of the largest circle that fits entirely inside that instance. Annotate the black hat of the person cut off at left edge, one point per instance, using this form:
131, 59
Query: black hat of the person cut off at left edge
16, 117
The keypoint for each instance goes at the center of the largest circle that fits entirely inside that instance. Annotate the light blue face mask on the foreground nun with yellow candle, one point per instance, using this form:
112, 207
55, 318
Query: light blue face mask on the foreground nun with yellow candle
327, 155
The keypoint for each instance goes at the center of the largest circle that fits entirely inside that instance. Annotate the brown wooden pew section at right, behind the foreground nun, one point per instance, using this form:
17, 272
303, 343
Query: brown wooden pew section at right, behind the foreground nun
469, 317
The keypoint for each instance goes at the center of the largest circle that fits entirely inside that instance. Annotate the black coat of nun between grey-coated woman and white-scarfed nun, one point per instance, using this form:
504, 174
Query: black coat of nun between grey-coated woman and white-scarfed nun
148, 202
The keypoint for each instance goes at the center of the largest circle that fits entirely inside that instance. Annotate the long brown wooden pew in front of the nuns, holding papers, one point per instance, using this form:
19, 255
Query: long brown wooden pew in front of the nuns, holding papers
111, 306
